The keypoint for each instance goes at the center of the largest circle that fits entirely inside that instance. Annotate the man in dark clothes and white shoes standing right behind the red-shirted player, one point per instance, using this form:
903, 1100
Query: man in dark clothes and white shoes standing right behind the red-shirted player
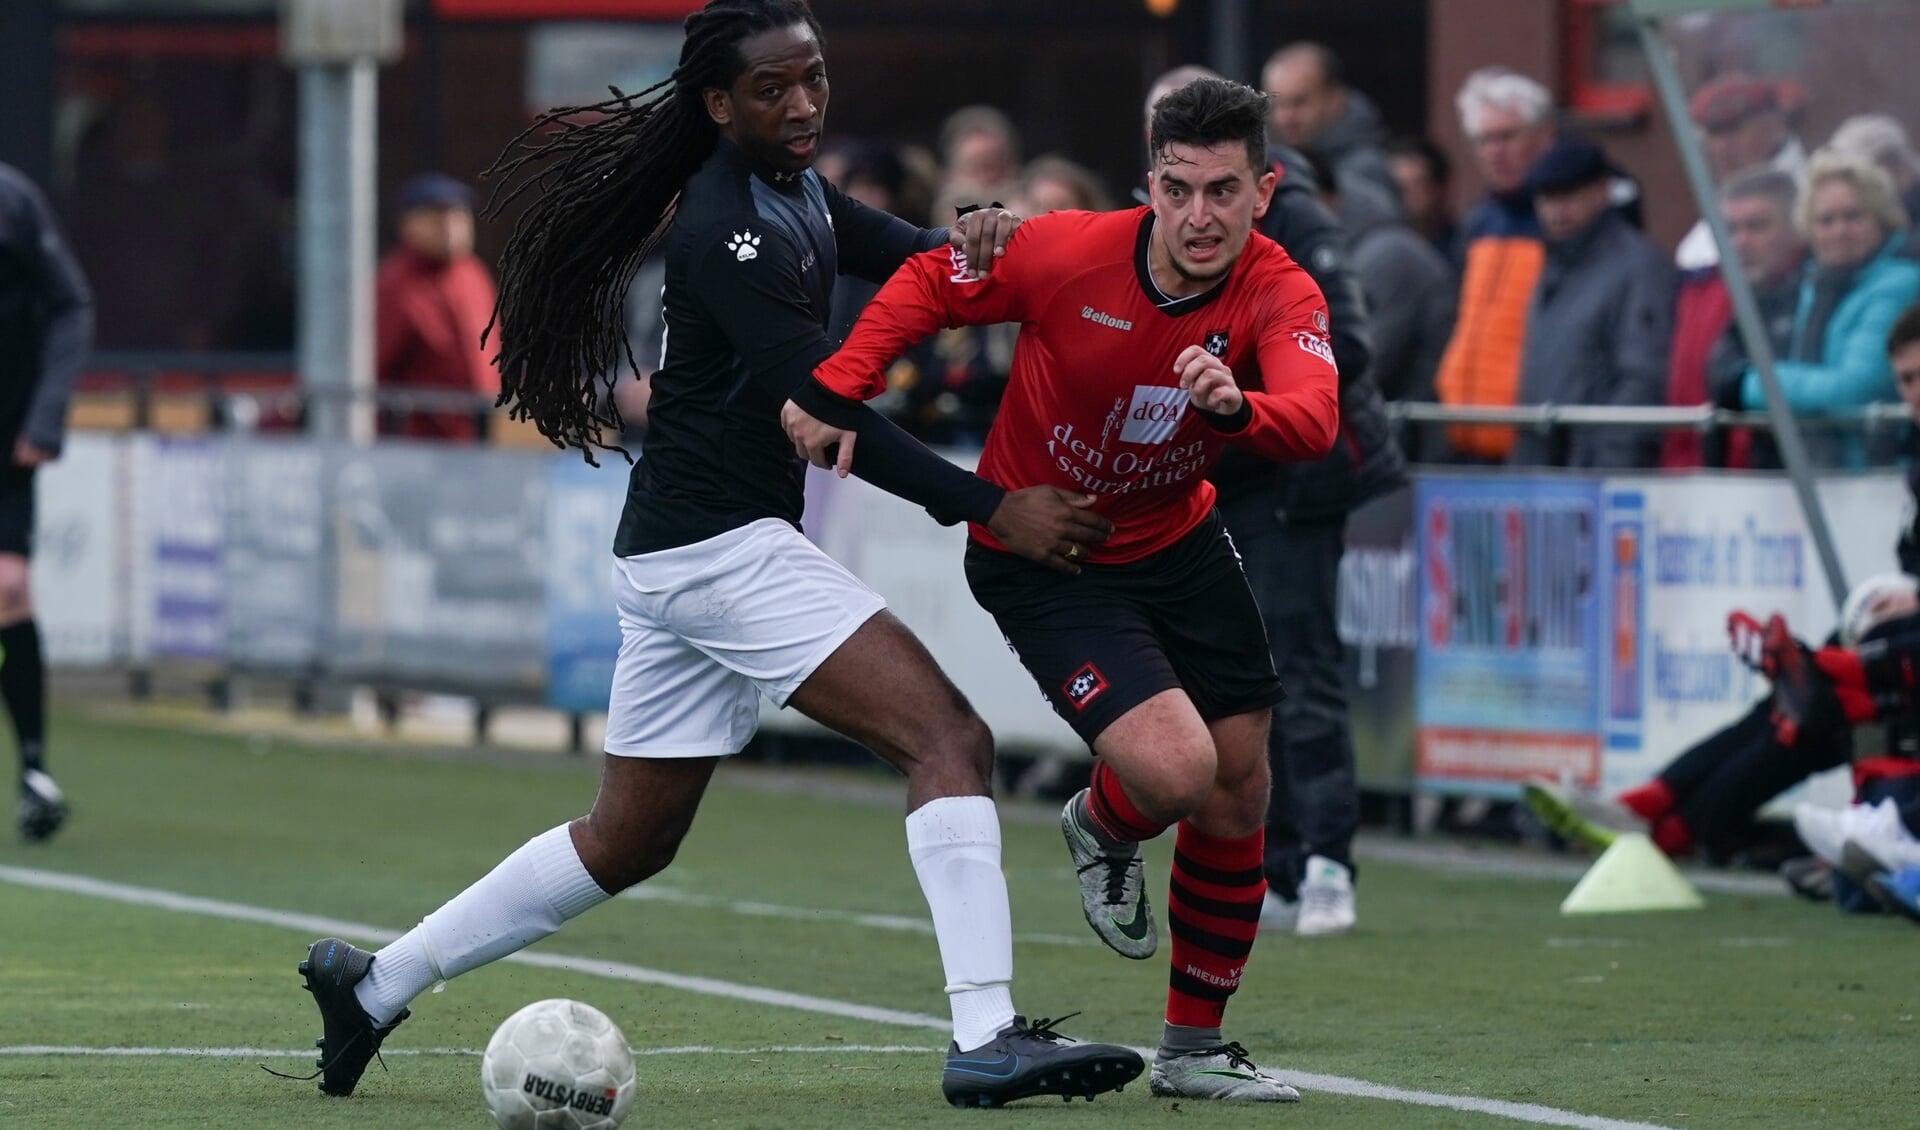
1289, 525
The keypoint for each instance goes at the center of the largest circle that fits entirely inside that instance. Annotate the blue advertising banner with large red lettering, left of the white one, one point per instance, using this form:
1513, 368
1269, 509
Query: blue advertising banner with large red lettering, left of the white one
1510, 651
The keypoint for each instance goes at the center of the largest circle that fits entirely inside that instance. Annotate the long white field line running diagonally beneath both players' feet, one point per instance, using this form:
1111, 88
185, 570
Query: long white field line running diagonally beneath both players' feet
748, 993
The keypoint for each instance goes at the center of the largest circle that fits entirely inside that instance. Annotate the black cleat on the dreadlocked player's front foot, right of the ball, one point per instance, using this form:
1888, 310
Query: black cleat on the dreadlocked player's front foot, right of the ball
1032, 1060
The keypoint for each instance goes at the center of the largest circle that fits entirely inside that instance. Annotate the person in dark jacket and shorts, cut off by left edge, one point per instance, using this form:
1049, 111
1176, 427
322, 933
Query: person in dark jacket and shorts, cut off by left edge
47, 327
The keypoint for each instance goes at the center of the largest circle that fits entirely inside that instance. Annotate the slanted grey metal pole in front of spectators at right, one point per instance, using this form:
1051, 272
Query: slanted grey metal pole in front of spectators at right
1746, 310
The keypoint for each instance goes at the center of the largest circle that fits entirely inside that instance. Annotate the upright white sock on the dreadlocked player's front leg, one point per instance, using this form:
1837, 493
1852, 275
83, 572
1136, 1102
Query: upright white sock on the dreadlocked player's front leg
955, 845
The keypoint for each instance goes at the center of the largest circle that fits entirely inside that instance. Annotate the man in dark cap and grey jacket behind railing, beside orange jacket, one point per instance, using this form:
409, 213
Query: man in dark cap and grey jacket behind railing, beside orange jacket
1600, 318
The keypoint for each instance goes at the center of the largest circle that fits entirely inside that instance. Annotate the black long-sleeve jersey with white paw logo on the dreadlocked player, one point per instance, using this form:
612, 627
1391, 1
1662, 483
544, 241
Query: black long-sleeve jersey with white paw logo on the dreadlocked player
750, 283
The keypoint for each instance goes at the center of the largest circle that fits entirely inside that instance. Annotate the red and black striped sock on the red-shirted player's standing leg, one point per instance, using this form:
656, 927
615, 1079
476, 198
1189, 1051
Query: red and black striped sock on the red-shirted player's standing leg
1214, 916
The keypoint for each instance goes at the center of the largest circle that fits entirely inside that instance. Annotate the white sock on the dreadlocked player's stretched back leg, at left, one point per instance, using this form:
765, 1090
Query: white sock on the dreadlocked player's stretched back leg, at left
514, 906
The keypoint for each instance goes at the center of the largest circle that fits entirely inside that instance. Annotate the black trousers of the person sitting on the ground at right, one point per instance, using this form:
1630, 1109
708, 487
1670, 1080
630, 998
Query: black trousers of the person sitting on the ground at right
1727, 778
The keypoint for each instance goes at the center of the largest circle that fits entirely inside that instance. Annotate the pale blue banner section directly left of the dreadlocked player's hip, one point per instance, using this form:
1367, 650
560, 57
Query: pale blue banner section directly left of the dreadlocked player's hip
583, 624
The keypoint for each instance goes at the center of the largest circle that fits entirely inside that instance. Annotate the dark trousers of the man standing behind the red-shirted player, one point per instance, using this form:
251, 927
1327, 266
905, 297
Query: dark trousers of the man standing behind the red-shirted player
1295, 571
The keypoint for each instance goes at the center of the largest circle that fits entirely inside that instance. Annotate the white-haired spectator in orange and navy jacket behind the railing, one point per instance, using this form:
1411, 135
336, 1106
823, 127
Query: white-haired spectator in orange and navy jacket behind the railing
1510, 122
